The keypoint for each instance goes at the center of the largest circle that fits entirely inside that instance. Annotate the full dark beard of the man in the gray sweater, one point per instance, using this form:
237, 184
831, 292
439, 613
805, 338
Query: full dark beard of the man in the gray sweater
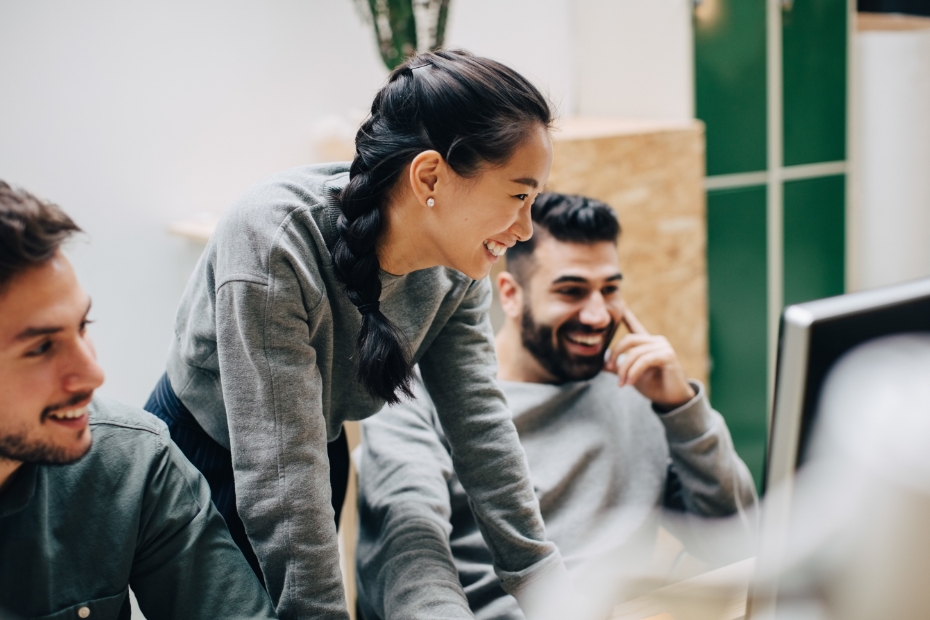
549, 350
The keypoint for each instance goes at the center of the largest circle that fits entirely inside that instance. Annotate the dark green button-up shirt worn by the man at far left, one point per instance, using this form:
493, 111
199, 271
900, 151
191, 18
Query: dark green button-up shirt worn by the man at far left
132, 512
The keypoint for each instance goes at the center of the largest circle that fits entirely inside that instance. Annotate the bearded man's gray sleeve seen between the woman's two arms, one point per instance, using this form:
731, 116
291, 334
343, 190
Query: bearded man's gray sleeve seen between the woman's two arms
405, 565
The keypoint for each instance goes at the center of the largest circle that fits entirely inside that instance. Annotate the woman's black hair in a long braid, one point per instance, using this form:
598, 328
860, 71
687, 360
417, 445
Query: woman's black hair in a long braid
471, 110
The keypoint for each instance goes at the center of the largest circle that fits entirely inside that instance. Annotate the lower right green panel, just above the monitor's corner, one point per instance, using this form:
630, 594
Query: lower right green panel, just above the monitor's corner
815, 238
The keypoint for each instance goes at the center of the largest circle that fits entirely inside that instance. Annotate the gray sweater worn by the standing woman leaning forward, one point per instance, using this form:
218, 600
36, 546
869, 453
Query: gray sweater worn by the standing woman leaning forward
263, 358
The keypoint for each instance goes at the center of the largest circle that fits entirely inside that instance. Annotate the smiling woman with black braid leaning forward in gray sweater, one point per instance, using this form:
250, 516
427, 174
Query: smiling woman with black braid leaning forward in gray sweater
320, 290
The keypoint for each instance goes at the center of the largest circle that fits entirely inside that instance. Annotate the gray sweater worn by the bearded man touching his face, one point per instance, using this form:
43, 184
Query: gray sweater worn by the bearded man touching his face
600, 459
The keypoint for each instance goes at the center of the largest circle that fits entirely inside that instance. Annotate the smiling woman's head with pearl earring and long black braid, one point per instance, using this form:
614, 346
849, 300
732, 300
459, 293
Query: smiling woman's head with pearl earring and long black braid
453, 129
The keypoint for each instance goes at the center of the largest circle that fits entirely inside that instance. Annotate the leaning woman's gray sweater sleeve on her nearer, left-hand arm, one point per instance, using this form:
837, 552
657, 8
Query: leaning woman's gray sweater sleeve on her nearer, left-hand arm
272, 389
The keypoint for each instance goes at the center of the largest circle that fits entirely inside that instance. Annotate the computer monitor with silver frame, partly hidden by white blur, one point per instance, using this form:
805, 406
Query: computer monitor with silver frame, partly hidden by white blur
813, 336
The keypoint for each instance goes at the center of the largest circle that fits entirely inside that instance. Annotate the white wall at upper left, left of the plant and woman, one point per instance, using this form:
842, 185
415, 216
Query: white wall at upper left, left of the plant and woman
131, 115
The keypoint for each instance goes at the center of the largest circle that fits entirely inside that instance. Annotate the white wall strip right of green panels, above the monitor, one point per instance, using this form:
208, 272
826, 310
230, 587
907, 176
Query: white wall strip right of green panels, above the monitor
891, 140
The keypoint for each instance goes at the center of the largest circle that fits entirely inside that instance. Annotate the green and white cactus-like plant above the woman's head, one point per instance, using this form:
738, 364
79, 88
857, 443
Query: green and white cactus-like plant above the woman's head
404, 27
